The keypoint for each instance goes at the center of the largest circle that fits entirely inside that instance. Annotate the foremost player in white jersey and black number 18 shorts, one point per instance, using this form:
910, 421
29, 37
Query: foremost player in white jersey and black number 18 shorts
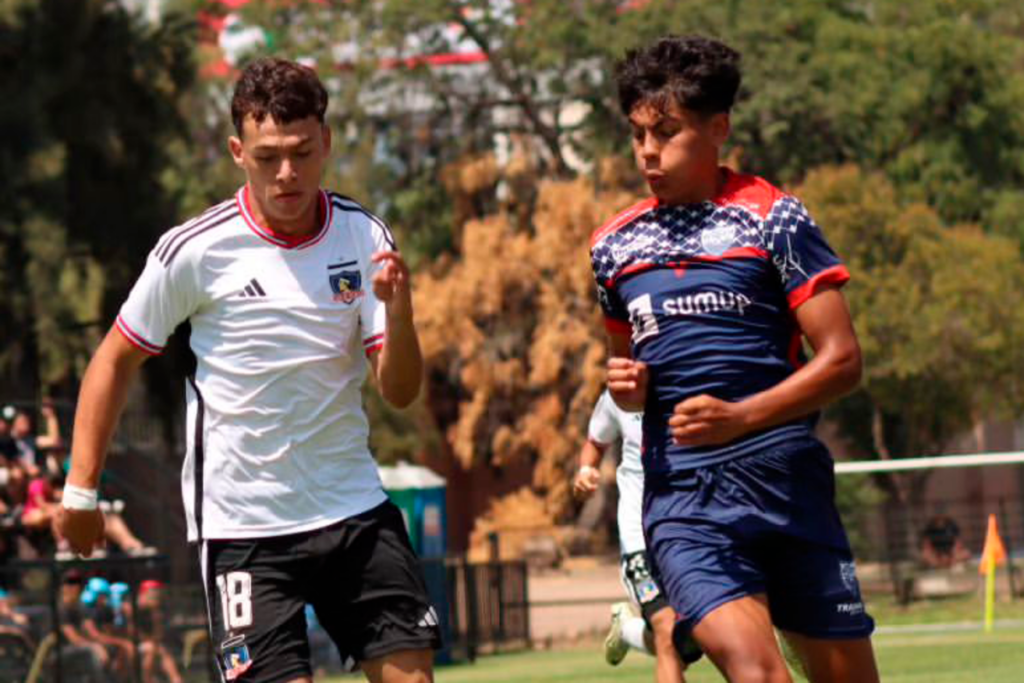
289, 290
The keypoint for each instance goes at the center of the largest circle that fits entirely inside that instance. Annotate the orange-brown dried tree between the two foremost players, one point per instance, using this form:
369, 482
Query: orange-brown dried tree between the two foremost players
514, 340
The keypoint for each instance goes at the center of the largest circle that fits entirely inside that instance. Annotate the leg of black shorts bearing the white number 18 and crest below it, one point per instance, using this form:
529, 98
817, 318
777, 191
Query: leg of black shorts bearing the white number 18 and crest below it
255, 599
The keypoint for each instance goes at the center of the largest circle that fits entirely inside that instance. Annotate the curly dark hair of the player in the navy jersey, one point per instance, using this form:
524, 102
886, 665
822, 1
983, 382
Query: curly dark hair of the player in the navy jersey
698, 73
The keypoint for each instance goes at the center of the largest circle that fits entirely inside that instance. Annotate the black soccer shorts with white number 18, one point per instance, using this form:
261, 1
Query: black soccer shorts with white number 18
360, 575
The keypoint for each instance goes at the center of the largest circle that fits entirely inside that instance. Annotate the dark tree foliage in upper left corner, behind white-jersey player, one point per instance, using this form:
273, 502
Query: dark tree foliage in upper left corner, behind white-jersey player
89, 99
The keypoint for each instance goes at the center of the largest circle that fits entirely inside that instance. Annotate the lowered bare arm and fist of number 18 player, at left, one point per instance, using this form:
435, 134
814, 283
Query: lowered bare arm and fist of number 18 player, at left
101, 401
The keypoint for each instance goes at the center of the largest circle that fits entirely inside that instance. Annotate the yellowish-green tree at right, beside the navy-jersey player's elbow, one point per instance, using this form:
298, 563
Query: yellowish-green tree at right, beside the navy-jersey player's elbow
936, 312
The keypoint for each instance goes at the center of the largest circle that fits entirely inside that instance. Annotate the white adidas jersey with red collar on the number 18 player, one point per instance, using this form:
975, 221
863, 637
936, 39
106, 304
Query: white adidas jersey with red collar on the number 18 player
278, 440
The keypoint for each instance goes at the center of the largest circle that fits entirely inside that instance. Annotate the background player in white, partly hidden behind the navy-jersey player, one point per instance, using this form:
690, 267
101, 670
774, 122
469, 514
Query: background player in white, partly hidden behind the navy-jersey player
653, 632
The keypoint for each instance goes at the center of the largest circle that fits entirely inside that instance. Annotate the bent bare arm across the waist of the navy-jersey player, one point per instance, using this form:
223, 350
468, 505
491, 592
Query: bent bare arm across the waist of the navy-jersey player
834, 371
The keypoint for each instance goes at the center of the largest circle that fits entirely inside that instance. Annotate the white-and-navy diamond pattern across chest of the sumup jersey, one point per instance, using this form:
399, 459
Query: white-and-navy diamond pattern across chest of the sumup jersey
668, 235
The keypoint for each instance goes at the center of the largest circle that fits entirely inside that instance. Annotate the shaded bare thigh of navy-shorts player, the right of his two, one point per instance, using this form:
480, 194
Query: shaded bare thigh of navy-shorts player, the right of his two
835, 661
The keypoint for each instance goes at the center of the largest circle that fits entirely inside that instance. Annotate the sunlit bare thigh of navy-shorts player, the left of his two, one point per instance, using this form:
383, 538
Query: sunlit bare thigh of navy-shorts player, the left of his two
739, 638
